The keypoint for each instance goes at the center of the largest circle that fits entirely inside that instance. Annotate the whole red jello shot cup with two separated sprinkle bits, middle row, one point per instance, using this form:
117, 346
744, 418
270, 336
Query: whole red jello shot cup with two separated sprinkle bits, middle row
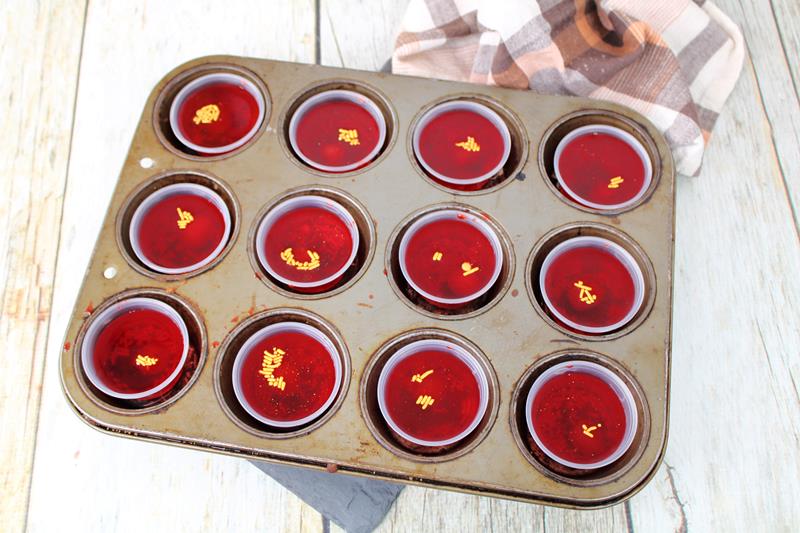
450, 258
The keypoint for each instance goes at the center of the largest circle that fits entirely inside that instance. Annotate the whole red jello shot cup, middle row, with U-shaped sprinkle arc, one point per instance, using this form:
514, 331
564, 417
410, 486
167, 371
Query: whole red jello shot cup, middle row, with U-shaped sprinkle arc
307, 242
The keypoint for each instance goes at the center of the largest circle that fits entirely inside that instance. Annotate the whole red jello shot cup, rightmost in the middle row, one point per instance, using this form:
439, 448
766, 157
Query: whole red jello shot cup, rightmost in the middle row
591, 285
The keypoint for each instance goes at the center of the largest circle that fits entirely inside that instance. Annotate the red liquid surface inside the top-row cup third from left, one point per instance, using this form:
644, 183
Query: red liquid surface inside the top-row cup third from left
437, 145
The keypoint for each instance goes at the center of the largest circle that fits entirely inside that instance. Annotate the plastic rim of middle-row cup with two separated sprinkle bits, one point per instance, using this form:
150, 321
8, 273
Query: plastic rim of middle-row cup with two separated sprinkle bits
447, 214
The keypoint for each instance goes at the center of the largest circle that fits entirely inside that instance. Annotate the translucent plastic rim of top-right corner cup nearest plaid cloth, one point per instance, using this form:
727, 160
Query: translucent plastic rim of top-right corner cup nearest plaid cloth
632, 141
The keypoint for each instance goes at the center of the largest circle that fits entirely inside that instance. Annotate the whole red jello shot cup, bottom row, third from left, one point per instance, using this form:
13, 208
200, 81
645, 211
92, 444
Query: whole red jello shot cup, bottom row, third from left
432, 393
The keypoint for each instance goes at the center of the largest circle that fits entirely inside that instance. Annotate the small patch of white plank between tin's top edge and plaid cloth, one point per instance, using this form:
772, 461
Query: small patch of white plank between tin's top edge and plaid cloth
359, 33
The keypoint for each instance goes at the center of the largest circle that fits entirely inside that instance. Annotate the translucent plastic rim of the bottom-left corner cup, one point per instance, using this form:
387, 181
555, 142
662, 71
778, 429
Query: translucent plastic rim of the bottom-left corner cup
111, 313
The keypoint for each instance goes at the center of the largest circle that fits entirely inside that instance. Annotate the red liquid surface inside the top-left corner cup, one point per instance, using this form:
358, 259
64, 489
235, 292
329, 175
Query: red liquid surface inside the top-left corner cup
238, 114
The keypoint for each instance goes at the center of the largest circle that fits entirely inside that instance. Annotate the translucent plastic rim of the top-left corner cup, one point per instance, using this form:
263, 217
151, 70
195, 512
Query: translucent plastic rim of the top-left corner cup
207, 79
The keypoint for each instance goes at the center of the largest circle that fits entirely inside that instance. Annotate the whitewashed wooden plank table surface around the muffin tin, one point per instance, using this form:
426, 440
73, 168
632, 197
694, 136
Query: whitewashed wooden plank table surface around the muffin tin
73, 78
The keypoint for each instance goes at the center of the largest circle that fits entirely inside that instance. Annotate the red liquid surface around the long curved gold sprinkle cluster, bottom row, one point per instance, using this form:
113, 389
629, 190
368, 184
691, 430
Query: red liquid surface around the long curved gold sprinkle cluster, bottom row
307, 371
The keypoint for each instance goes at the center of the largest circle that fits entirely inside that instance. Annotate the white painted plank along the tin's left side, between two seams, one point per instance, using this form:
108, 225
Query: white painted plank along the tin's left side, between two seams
83, 479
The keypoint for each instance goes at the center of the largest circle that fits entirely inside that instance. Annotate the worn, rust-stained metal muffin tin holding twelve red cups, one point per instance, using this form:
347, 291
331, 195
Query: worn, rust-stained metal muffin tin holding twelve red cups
373, 313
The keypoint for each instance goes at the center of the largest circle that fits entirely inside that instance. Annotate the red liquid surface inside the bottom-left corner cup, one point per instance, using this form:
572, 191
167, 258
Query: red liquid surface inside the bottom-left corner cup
140, 332
